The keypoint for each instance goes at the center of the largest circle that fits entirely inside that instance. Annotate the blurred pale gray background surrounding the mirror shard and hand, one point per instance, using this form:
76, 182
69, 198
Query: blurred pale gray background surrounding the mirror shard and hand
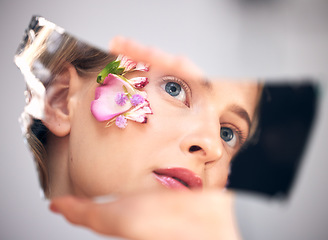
272, 38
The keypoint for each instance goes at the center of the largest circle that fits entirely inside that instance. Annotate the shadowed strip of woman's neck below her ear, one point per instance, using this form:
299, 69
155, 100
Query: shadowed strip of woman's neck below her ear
57, 159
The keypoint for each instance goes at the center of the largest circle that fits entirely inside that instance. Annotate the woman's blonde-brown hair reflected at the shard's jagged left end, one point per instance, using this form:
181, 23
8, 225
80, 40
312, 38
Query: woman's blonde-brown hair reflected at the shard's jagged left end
45, 54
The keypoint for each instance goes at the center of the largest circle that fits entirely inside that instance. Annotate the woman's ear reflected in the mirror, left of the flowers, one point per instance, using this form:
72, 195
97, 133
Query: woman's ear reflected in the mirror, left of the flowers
56, 102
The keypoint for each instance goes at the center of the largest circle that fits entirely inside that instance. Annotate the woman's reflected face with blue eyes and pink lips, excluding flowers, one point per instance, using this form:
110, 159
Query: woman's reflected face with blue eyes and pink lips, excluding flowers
195, 130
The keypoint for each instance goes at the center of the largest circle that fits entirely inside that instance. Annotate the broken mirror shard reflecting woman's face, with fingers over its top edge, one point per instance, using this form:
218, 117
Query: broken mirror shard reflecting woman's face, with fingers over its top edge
100, 123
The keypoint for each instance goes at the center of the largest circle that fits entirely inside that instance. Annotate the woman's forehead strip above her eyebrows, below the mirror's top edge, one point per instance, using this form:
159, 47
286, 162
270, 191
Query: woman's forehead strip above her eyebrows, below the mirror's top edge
219, 93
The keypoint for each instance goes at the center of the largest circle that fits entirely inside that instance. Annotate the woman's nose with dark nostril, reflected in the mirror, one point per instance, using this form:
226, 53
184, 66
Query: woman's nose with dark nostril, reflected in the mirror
203, 143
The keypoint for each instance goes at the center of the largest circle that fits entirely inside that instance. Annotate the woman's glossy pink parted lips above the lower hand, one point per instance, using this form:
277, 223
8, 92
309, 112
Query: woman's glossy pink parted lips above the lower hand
178, 178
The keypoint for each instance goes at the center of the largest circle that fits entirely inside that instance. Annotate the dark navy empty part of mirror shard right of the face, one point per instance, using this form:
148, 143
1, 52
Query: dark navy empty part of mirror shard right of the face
269, 163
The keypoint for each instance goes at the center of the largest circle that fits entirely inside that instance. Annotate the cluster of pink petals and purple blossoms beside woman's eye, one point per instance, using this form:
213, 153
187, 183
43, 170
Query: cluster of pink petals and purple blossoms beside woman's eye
119, 99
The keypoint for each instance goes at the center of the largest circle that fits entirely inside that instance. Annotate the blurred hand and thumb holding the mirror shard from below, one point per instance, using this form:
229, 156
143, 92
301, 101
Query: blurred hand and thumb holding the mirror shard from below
155, 215
